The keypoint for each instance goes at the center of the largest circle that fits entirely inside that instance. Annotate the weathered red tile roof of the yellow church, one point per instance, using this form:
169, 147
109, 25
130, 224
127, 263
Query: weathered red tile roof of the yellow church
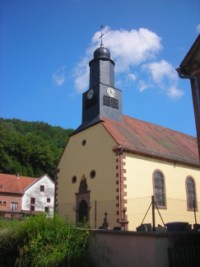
152, 140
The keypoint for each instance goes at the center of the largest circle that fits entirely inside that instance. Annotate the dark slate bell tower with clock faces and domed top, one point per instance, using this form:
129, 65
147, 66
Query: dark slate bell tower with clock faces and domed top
102, 99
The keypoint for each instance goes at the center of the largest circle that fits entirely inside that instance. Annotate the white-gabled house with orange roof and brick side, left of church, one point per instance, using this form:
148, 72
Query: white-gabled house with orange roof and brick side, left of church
21, 195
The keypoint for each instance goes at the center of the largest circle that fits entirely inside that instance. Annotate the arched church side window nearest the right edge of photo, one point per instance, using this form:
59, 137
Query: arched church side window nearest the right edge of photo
191, 194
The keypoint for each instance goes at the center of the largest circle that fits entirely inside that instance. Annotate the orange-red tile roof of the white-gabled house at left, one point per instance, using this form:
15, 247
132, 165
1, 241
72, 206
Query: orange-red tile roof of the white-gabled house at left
15, 184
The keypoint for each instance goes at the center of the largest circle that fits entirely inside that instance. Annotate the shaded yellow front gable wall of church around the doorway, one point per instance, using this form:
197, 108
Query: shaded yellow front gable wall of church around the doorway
79, 160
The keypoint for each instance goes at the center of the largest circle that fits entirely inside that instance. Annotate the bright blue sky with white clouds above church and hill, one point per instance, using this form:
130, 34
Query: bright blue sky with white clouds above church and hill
46, 46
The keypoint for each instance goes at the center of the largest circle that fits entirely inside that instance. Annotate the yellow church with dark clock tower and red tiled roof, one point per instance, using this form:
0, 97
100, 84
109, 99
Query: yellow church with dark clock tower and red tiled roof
113, 164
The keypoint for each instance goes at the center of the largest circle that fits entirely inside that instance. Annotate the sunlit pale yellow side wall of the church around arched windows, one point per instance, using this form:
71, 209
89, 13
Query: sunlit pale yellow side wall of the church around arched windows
139, 181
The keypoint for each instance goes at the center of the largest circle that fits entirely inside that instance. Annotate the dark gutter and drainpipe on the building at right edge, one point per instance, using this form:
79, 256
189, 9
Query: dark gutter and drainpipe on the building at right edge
196, 100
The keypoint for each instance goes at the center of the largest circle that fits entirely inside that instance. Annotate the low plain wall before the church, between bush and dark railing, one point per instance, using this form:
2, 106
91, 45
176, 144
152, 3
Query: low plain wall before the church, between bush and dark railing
128, 249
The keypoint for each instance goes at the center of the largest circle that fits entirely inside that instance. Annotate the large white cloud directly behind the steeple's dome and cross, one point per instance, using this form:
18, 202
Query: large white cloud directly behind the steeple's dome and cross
128, 48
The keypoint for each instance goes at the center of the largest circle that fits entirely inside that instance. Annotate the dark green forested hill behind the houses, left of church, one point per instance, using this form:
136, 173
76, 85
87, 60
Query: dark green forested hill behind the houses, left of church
30, 148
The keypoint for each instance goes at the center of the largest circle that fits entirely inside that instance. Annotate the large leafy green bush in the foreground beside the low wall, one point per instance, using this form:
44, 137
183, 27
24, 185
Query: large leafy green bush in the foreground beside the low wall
39, 241
